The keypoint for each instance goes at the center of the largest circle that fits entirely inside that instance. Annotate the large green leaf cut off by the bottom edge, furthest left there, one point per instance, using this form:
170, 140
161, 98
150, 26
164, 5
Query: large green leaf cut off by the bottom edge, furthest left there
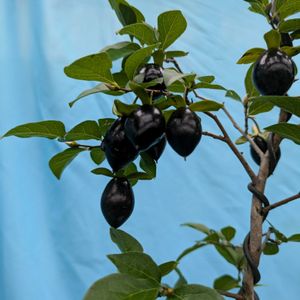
122, 287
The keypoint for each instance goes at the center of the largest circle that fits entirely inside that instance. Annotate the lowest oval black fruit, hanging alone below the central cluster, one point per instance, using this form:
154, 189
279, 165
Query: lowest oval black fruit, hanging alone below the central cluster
117, 202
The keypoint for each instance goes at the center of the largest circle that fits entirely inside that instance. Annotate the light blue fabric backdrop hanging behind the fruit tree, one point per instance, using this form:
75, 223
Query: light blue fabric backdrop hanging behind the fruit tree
53, 238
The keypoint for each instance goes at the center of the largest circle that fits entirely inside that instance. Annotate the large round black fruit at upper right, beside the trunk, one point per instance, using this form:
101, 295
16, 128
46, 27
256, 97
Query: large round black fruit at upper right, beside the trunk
273, 73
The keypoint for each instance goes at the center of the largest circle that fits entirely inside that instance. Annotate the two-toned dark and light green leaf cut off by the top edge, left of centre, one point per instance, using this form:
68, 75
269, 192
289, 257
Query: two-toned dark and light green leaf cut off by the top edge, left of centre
126, 13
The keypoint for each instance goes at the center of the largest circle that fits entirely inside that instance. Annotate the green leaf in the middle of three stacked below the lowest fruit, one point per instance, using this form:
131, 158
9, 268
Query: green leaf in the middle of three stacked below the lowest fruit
136, 264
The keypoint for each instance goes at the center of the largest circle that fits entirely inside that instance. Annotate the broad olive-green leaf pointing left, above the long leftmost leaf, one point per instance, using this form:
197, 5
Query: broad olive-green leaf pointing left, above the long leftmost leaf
92, 67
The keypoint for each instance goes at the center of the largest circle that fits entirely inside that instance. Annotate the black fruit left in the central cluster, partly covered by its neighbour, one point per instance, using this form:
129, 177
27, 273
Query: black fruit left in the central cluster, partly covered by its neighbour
119, 151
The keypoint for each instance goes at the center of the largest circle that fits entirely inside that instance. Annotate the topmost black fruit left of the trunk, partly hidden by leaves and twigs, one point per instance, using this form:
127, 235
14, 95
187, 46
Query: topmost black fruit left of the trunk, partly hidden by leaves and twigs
152, 72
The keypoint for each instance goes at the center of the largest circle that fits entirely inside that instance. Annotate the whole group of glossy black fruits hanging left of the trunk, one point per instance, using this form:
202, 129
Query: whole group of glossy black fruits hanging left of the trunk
144, 130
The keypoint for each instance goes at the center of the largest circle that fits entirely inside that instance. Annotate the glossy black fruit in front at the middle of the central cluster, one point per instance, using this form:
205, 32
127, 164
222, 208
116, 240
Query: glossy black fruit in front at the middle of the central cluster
145, 126
